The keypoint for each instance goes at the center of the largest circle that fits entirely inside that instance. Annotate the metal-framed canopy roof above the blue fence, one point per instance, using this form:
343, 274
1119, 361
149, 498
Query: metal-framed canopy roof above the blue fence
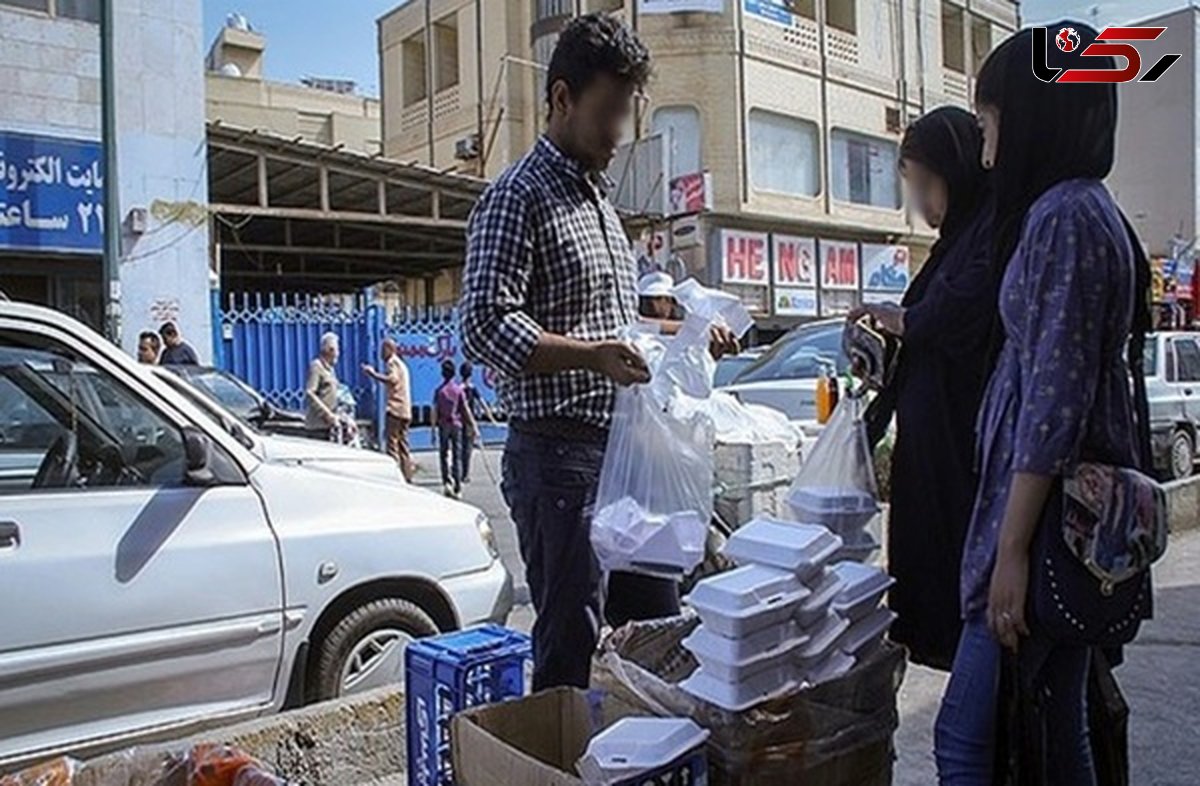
296, 215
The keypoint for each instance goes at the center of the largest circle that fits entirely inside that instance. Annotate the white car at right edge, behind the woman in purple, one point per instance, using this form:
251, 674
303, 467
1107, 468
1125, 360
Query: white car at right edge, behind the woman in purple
1173, 386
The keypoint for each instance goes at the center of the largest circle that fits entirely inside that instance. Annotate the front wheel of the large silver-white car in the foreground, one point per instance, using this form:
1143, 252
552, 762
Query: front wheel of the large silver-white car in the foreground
367, 650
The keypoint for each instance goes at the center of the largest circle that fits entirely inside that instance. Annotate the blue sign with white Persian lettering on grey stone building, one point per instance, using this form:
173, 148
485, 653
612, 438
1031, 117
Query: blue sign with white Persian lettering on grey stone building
51, 194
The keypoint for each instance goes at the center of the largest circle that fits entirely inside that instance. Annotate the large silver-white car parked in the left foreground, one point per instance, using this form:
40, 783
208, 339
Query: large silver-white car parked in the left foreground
160, 575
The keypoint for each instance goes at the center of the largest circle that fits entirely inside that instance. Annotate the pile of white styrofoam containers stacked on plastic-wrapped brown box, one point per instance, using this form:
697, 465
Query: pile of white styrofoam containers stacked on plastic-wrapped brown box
769, 626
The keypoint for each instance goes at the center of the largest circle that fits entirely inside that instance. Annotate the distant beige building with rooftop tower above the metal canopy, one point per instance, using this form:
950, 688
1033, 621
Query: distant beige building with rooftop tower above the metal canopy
322, 111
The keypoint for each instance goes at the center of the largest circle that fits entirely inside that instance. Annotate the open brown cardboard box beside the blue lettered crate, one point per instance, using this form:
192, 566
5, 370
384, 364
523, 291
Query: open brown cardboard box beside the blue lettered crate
532, 742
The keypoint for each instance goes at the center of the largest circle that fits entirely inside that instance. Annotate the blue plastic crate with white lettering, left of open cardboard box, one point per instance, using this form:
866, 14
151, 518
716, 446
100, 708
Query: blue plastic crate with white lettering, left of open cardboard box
446, 675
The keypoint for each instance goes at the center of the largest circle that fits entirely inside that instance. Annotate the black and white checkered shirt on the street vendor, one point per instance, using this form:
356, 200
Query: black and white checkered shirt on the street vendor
547, 253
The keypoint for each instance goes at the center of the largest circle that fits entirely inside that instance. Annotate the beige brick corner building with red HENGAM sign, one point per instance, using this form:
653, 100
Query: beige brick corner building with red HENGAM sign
782, 121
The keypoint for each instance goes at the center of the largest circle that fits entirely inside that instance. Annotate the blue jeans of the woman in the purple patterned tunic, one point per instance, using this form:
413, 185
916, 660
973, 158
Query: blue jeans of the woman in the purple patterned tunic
965, 736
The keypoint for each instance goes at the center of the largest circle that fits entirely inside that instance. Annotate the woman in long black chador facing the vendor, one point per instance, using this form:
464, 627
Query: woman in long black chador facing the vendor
945, 321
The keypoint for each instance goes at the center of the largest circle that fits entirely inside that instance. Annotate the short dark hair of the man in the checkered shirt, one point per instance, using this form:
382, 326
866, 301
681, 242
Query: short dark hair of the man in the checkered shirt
595, 45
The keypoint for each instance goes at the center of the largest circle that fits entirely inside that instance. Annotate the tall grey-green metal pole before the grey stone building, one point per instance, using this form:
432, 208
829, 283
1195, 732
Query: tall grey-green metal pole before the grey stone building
112, 259
